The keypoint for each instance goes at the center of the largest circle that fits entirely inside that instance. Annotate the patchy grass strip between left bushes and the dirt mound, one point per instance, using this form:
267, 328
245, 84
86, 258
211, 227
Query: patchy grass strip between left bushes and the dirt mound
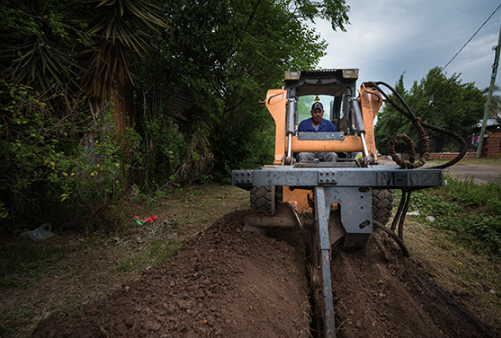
66, 272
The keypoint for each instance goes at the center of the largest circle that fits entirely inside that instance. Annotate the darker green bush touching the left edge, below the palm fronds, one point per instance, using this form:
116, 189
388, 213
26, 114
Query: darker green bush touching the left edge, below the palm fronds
30, 148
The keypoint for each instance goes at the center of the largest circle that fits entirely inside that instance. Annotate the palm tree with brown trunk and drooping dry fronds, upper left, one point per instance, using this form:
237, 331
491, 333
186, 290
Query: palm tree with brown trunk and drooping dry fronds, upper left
117, 27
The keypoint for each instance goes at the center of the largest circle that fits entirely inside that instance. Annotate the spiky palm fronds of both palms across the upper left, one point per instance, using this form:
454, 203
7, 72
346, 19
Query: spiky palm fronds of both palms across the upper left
42, 44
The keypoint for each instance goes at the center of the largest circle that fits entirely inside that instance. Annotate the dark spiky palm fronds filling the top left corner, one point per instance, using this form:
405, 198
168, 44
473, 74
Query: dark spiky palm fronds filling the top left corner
35, 47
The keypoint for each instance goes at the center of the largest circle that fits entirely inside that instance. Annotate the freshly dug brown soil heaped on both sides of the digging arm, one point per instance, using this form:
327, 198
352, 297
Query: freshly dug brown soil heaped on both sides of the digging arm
230, 283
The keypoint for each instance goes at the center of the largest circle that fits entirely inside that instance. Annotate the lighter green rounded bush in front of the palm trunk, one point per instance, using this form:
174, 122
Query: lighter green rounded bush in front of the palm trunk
96, 175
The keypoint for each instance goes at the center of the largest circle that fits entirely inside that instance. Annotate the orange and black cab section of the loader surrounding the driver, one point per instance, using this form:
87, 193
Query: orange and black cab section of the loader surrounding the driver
336, 88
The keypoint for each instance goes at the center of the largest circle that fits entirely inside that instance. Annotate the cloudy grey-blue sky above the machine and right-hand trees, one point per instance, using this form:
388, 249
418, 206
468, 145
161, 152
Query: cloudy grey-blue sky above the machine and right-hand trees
389, 37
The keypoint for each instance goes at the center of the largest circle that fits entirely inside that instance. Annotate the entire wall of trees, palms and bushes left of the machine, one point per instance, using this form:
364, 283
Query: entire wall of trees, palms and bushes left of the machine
185, 78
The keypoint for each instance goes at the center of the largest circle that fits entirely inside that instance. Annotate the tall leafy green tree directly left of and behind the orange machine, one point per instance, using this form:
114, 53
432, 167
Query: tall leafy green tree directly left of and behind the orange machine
224, 55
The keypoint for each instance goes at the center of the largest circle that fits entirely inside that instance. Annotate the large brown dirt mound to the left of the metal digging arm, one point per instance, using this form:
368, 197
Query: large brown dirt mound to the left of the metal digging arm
225, 283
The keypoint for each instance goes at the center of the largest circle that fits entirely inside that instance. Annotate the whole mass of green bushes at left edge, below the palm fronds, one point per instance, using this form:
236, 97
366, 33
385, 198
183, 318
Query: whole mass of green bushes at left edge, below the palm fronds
57, 168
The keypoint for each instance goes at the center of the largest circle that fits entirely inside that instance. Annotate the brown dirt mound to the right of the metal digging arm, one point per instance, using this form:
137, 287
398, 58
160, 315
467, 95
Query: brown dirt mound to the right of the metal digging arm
379, 293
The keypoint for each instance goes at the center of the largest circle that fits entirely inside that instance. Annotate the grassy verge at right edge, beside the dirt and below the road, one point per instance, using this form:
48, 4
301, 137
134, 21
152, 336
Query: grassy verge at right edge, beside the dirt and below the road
461, 249
